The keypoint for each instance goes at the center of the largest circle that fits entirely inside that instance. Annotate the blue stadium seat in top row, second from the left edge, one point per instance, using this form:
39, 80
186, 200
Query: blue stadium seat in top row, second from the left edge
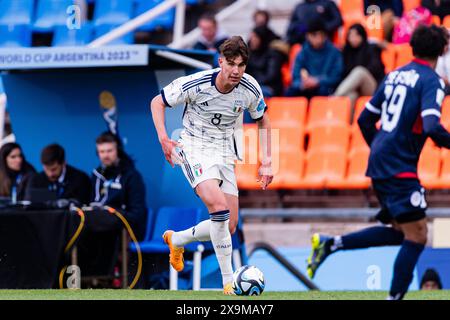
51, 13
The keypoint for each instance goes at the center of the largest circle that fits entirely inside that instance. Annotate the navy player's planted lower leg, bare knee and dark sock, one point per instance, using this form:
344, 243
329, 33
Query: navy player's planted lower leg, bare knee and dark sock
412, 246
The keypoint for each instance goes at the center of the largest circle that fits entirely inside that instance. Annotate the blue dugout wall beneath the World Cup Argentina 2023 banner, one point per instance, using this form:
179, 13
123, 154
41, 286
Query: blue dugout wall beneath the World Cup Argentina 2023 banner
62, 106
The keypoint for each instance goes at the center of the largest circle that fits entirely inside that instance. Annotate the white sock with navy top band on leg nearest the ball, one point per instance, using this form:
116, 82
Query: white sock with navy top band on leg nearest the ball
221, 239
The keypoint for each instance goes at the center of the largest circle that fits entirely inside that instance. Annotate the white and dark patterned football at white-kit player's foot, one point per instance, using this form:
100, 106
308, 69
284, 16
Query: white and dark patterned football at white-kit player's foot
248, 281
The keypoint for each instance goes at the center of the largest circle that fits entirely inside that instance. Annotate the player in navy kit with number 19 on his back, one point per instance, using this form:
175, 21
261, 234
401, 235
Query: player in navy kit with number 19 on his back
408, 102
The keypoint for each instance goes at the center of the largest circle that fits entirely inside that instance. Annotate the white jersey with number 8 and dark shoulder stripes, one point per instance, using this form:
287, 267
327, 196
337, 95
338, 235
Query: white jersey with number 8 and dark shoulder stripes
209, 118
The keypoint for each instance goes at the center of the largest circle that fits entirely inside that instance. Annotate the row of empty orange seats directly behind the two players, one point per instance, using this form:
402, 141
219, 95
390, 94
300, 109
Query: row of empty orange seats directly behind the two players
316, 146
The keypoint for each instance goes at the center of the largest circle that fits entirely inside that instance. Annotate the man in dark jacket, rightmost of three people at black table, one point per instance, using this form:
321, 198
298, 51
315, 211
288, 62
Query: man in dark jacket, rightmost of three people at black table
118, 184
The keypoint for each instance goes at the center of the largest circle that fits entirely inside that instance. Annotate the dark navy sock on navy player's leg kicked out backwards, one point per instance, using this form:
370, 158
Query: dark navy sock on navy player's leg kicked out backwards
371, 237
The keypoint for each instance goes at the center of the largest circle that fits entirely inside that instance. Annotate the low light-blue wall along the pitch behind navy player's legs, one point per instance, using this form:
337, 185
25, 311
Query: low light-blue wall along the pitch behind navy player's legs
361, 270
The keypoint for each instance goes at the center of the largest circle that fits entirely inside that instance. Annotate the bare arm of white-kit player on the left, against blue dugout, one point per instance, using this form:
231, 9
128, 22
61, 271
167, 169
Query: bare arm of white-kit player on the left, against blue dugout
157, 108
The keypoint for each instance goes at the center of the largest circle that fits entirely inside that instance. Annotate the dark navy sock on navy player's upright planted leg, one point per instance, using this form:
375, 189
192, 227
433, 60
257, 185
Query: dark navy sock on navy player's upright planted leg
404, 266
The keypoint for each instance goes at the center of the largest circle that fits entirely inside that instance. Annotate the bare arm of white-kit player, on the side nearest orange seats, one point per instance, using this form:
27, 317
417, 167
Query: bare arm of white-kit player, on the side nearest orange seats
265, 171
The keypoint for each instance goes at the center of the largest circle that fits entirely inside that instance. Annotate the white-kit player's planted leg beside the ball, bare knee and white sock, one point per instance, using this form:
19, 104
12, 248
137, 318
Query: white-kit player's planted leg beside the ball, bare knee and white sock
215, 200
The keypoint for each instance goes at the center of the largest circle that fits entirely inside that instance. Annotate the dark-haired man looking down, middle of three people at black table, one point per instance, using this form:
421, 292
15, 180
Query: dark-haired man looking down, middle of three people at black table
64, 180
